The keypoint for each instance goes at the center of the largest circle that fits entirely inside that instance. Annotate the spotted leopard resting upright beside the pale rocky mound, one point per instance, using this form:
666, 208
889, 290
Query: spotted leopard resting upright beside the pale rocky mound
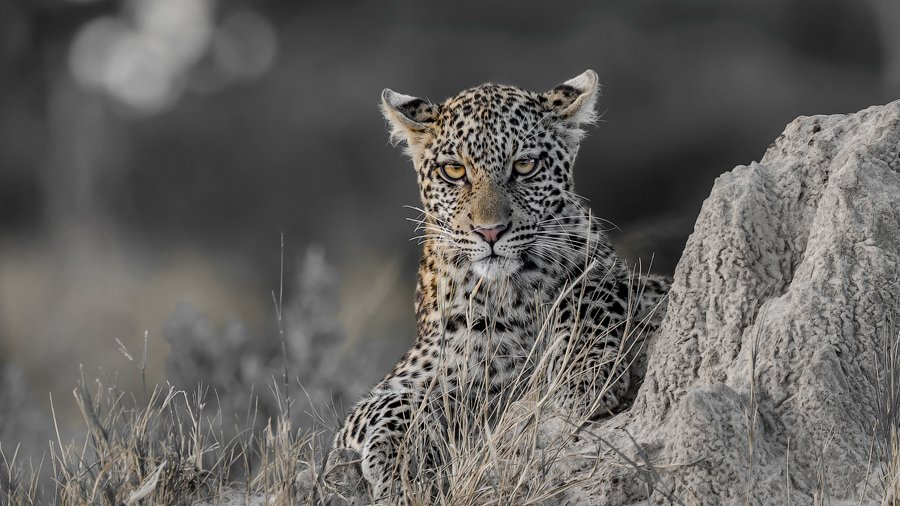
505, 242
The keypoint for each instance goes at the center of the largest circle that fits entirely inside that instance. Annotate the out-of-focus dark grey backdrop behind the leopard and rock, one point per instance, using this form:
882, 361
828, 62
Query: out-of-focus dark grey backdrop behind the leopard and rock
153, 152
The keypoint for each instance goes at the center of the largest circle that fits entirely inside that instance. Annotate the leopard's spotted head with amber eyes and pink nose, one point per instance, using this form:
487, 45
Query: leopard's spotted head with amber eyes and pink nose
494, 167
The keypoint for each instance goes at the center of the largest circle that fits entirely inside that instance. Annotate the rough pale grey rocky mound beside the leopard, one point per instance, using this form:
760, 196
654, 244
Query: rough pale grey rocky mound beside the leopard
782, 299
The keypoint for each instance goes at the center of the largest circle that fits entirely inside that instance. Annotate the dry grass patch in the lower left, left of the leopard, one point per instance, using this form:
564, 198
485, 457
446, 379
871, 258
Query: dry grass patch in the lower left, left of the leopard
170, 451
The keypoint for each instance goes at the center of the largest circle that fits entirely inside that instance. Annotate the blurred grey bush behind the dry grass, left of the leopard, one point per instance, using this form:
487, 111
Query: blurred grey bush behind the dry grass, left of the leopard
240, 365
